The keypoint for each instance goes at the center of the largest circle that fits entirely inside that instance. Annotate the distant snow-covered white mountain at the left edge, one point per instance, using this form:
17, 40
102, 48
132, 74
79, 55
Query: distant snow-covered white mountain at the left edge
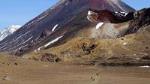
8, 31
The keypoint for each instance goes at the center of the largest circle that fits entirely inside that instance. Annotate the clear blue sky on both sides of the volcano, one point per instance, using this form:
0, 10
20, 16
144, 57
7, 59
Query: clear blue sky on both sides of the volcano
18, 12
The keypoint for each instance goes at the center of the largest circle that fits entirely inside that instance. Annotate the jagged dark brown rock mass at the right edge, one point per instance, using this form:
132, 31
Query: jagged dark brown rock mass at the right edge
141, 19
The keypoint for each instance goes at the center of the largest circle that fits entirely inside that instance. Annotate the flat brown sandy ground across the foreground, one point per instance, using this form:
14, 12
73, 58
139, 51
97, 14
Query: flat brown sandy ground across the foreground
21, 71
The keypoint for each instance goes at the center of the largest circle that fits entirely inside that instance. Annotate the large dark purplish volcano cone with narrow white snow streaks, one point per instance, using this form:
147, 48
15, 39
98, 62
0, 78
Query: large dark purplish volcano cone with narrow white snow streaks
62, 21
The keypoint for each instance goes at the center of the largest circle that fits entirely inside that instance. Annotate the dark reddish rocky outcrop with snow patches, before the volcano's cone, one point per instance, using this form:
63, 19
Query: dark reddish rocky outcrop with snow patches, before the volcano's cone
108, 16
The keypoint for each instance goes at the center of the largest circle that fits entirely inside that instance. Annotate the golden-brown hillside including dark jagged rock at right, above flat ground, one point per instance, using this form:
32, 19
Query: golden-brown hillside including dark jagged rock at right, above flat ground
133, 49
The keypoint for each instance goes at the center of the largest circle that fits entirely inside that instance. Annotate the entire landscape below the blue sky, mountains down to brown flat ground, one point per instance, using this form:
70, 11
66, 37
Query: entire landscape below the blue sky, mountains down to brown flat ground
79, 42
